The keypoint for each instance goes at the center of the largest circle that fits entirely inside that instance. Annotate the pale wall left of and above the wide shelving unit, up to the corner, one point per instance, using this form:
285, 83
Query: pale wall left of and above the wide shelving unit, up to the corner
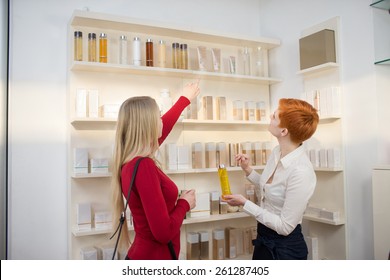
38, 110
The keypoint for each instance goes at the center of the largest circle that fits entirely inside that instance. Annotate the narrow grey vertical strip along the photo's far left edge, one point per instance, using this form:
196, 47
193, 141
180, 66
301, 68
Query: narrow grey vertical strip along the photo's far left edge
3, 126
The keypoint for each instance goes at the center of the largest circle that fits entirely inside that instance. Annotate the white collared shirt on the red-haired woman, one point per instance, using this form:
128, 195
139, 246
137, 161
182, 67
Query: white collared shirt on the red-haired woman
283, 201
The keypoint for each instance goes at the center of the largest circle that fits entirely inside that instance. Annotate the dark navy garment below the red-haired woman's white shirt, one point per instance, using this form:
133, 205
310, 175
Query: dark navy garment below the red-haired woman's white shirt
269, 245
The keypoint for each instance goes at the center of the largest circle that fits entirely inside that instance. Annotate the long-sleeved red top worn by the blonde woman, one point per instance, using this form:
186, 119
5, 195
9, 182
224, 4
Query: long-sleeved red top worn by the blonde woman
157, 213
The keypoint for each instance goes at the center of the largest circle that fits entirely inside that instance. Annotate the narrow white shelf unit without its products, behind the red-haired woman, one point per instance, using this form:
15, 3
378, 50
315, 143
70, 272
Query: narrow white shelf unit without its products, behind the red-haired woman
330, 189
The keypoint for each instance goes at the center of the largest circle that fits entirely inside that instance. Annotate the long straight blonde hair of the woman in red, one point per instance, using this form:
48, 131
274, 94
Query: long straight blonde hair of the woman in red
137, 133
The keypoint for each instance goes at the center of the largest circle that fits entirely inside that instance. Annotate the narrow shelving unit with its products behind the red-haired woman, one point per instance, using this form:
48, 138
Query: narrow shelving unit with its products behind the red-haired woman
325, 216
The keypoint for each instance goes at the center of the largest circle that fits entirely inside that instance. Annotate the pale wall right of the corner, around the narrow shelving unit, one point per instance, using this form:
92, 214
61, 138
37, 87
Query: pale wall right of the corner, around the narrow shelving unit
364, 87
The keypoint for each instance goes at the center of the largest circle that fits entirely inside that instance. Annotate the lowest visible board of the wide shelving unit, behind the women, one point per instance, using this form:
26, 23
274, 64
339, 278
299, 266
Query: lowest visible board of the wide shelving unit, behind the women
188, 221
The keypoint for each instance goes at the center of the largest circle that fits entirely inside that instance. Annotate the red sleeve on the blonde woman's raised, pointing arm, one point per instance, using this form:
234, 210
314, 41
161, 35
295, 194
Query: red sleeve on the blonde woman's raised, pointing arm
170, 118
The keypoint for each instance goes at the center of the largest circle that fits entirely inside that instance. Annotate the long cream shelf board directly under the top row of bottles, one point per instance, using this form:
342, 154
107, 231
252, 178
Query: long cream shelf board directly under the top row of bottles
169, 72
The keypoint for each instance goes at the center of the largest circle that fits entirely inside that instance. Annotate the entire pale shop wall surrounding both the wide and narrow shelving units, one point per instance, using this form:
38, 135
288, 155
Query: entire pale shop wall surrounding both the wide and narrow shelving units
38, 113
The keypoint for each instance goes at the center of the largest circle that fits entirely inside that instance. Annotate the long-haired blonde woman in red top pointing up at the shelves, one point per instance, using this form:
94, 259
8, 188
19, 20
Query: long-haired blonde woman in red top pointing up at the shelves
157, 212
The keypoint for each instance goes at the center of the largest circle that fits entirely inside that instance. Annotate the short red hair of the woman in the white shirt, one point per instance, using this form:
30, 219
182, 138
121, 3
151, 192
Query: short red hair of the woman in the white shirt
299, 117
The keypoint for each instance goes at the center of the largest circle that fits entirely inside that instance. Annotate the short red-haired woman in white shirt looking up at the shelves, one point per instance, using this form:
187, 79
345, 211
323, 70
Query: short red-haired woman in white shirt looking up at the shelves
285, 186
